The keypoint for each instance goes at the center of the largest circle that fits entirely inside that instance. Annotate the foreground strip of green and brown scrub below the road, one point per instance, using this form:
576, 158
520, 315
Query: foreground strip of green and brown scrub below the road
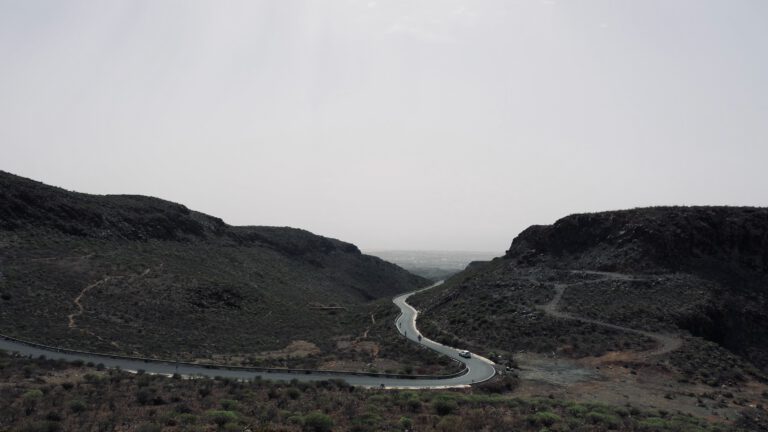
46, 395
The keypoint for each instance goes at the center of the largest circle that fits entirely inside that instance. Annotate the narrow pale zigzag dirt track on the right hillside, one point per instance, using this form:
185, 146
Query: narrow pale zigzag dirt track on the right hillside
665, 342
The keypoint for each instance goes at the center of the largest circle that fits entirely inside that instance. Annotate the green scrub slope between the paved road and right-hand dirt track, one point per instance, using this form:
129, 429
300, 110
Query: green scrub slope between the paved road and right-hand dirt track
494, 311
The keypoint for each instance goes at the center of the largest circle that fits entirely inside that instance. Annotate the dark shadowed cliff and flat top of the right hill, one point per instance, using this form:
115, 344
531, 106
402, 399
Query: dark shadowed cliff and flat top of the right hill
725, 248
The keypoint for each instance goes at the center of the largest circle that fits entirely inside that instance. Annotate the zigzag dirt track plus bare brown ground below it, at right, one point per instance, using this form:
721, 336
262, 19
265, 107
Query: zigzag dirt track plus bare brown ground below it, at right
627, 377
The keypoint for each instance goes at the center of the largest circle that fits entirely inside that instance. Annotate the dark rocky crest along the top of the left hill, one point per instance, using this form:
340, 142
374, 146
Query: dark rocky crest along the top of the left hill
26, 203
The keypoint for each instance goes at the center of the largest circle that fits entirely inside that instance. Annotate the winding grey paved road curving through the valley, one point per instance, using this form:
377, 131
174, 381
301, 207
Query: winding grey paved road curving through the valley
478, 369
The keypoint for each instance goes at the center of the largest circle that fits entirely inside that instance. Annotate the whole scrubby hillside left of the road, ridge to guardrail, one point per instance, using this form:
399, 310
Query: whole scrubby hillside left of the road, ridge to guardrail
136, 274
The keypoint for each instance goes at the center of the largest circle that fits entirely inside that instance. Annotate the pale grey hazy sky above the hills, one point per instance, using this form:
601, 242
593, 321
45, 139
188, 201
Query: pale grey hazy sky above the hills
391, 124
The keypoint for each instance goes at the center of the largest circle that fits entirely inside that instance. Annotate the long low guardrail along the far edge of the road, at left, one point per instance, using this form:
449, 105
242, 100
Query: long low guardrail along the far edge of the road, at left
463, 371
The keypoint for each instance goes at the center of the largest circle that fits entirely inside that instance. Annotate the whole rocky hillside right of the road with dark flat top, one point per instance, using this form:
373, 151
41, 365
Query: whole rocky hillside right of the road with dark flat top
699, 272
